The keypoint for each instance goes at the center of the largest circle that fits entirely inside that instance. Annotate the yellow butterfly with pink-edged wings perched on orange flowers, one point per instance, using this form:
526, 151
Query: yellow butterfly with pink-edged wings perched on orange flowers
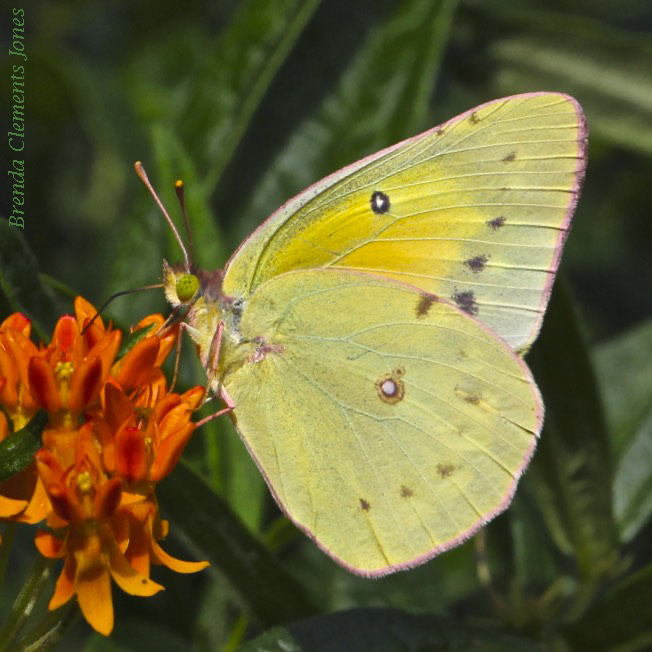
366, 337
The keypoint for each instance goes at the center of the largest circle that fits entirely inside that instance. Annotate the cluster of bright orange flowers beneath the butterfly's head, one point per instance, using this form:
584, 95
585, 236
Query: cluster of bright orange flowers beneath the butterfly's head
114, 431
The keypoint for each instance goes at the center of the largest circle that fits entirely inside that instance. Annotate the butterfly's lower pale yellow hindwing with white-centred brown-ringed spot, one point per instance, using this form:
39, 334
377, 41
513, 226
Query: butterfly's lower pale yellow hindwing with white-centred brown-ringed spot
388, 424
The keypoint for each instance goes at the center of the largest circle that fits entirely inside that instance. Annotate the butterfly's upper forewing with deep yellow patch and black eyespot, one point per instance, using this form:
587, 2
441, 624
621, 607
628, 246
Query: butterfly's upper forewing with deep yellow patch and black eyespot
475, 210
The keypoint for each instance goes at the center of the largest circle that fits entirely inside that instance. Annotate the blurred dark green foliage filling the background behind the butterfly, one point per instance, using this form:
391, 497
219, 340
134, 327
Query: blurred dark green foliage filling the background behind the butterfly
249, 102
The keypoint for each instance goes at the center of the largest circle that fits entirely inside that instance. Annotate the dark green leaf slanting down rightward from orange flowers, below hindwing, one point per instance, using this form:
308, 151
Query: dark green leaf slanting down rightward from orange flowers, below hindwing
212, 529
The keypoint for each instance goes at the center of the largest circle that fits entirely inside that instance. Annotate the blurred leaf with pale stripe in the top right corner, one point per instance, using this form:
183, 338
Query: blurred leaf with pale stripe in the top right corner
578, 55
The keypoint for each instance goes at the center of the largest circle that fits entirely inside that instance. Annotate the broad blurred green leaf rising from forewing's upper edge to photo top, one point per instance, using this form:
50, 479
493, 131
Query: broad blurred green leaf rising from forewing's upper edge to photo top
383, 96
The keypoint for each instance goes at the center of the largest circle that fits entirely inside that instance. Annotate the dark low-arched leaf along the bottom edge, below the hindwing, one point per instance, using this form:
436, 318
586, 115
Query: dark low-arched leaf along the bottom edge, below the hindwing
388, 630
